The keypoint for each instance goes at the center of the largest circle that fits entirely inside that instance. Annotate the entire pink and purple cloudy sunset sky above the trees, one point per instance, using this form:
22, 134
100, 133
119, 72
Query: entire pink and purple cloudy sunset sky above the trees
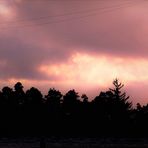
76, 44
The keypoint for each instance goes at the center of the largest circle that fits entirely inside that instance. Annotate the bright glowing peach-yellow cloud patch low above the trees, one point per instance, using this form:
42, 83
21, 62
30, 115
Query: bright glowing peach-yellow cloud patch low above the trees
97, 70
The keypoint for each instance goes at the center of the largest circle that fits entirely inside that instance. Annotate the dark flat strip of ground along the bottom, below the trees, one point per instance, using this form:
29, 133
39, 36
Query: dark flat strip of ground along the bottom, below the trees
75, 142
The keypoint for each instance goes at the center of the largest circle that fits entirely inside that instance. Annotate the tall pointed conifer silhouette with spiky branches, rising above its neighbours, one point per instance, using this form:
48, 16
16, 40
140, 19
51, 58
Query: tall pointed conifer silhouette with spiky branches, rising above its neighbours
121, 108
